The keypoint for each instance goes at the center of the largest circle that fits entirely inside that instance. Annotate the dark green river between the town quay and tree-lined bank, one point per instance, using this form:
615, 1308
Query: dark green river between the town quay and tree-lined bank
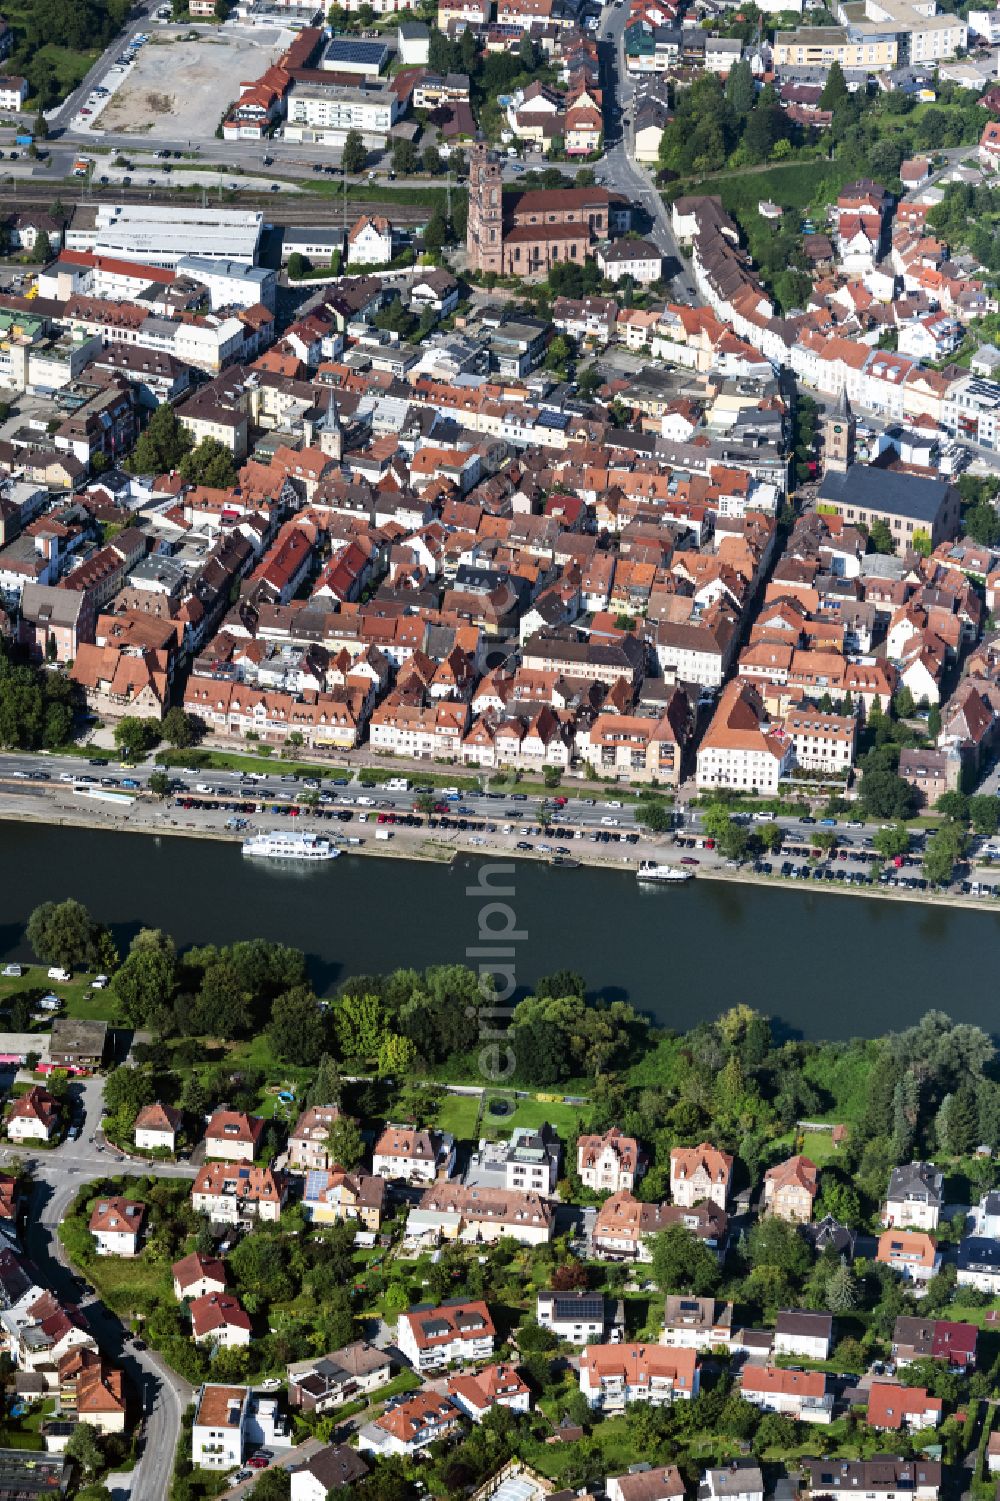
822, 966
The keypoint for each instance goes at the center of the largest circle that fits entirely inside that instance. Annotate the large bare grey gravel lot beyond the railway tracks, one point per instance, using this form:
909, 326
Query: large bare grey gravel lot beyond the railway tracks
179, 89
